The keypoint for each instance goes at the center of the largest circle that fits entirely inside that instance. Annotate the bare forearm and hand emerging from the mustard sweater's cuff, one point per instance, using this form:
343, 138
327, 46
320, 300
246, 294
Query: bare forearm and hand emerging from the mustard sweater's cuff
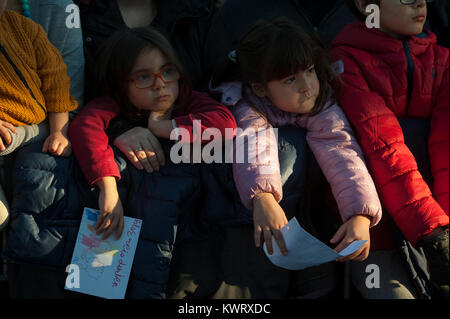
57, 143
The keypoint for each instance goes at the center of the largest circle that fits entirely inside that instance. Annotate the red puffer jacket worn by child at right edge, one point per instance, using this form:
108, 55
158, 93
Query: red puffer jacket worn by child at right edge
385, 79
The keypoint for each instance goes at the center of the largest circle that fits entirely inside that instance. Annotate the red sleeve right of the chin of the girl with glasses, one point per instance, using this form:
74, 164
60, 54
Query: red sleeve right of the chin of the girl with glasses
203, 113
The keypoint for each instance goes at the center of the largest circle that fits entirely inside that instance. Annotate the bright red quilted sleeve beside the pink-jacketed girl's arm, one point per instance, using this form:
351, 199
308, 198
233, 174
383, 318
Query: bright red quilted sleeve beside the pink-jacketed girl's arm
403, 192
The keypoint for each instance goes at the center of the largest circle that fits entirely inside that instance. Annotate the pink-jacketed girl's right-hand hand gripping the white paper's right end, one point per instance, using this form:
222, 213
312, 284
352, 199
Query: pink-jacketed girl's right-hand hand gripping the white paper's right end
356, 228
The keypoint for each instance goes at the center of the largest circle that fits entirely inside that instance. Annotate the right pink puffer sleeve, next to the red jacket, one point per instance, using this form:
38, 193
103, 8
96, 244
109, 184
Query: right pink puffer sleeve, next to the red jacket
340, 157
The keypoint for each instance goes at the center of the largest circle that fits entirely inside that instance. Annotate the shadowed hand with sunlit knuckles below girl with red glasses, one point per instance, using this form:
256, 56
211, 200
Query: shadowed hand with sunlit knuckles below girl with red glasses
150, 158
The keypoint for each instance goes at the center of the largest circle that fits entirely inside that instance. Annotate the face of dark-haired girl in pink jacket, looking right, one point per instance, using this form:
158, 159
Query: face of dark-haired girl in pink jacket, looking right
296, 93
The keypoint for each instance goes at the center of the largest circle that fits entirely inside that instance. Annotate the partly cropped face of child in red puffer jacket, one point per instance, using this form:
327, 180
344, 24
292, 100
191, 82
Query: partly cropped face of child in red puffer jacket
399, 19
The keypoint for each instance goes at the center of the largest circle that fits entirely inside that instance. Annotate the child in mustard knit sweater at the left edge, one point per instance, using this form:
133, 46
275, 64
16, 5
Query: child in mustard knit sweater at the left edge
34, 91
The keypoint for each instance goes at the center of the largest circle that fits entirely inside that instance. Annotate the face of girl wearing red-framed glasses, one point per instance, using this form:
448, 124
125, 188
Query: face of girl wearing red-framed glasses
149, 71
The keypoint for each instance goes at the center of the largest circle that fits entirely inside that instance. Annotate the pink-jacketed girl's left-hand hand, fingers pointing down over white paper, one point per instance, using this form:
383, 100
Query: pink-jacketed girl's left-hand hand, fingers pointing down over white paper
268, 218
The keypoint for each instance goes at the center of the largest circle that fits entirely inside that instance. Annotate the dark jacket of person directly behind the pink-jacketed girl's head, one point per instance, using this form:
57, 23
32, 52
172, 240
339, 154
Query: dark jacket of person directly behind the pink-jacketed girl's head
324, 17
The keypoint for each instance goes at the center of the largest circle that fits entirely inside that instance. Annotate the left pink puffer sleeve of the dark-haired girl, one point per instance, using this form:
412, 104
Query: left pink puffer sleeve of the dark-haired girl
258, 171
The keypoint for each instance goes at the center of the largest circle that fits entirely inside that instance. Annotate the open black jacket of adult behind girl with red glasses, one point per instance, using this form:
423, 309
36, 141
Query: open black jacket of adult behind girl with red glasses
185, 24
